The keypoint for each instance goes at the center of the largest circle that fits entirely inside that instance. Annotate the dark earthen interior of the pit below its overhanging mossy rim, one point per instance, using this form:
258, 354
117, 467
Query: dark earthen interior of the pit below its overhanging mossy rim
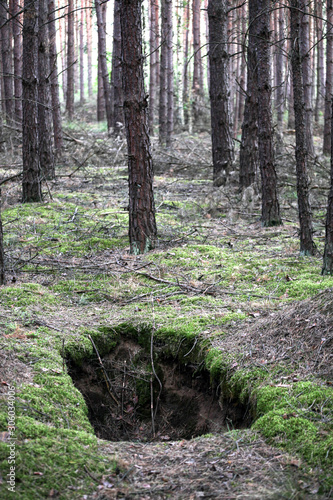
126, 401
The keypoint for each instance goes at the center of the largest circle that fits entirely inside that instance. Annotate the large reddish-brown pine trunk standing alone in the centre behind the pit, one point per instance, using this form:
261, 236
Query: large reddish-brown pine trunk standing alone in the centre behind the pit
142, 224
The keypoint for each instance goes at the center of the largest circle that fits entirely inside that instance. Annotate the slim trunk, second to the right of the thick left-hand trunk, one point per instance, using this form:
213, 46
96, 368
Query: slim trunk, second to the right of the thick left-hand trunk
56, 111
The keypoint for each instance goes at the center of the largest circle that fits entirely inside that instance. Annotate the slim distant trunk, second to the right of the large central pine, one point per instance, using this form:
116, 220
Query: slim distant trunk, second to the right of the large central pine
163, 102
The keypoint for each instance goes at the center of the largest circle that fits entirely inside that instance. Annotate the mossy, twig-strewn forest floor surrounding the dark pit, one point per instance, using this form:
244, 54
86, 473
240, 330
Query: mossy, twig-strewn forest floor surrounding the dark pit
237, 324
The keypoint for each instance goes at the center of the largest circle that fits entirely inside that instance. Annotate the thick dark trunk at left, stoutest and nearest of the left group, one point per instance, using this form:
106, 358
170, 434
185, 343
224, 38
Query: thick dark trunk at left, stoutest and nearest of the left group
32, 191
